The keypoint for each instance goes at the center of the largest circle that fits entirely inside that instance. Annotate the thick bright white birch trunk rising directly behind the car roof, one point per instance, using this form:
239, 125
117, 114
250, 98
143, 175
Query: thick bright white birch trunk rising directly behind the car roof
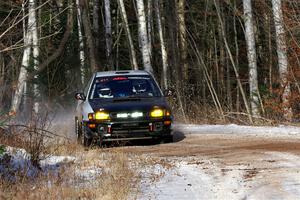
143, 35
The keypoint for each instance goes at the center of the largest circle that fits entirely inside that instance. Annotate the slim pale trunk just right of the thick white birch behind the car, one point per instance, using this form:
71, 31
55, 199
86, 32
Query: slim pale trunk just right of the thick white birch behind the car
162, 45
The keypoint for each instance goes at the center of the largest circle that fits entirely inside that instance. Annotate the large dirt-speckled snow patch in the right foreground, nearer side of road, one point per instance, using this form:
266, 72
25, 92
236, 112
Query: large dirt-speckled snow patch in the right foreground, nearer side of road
276, 178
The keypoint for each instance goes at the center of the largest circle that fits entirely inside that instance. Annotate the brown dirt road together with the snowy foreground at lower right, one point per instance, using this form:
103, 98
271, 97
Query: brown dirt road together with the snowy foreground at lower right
217, 166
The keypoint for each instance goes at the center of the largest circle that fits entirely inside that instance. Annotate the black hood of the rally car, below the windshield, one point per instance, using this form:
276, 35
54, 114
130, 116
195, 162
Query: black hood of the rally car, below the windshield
128, 104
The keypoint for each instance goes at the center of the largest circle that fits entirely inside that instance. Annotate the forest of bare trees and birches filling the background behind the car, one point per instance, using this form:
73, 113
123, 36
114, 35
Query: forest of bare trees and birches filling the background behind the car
225, 60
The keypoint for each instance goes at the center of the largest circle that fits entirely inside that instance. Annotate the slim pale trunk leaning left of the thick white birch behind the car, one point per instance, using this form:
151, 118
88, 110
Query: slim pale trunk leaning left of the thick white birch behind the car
128, 34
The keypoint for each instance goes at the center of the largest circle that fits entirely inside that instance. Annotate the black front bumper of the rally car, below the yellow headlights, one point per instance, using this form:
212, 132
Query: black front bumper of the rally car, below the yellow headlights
130, 130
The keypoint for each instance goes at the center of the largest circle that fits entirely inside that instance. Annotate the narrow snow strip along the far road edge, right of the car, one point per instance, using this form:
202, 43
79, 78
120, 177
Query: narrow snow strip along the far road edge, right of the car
279, 131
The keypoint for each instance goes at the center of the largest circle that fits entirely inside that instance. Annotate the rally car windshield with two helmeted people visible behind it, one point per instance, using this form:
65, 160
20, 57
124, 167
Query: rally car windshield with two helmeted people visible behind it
124, 86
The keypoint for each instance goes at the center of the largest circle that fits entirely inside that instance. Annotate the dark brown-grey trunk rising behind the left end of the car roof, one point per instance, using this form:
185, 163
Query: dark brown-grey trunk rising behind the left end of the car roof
89, 36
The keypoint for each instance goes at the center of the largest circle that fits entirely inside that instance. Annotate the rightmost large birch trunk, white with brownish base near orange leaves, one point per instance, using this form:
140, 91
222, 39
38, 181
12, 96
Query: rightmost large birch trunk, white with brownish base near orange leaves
282, 57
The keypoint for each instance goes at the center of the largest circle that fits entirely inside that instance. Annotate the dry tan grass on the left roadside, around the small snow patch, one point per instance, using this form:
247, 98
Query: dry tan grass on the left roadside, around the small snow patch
96, 174
